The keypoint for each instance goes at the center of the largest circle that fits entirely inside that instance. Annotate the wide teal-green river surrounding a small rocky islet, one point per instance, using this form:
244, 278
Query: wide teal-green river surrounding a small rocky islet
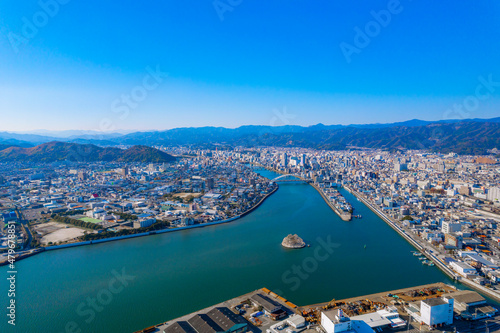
128, 285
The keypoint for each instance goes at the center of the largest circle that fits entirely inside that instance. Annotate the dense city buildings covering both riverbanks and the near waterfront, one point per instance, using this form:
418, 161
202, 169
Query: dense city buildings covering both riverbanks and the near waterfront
446, 205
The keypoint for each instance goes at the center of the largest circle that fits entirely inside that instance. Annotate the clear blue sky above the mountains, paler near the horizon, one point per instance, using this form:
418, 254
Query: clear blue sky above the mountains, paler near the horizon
87, 65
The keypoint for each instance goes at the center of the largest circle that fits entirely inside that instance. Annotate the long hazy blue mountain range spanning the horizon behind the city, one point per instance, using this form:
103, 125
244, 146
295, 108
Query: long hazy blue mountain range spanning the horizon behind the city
469, 136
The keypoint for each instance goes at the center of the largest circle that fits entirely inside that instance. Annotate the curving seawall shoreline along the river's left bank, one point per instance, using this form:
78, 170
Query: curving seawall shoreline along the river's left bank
63, 246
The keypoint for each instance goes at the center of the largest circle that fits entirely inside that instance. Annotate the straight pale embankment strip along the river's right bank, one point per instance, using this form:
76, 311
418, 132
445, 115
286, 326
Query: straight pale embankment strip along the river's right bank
418, 245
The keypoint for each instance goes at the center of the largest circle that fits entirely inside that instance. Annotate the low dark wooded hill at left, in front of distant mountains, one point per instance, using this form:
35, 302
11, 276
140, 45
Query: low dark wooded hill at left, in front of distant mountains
62, 151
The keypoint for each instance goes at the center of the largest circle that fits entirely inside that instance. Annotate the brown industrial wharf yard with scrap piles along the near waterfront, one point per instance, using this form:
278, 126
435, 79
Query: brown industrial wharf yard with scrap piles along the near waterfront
265, 311
